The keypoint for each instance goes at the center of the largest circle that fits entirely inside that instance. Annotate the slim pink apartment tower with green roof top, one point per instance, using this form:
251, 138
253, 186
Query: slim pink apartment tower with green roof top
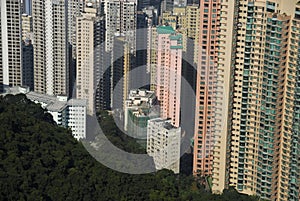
168, 72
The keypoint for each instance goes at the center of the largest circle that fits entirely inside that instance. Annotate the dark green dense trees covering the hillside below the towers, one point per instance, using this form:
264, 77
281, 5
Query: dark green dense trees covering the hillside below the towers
41, 161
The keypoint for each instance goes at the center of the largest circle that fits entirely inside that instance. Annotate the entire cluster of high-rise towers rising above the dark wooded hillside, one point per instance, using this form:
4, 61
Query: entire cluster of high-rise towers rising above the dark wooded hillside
241, 58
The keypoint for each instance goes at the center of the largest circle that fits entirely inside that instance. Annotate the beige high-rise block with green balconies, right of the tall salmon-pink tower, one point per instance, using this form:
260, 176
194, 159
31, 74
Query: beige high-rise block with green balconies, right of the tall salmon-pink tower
257, 111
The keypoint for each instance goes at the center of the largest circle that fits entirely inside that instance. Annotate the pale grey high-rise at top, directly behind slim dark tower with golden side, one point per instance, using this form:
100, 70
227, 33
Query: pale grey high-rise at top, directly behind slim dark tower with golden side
121, 18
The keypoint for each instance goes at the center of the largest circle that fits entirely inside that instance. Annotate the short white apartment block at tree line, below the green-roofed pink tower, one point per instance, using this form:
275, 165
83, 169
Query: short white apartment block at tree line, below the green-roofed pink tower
163, 144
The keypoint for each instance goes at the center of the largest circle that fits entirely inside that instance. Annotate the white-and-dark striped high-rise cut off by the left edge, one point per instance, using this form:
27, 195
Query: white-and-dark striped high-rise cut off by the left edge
10, 43
